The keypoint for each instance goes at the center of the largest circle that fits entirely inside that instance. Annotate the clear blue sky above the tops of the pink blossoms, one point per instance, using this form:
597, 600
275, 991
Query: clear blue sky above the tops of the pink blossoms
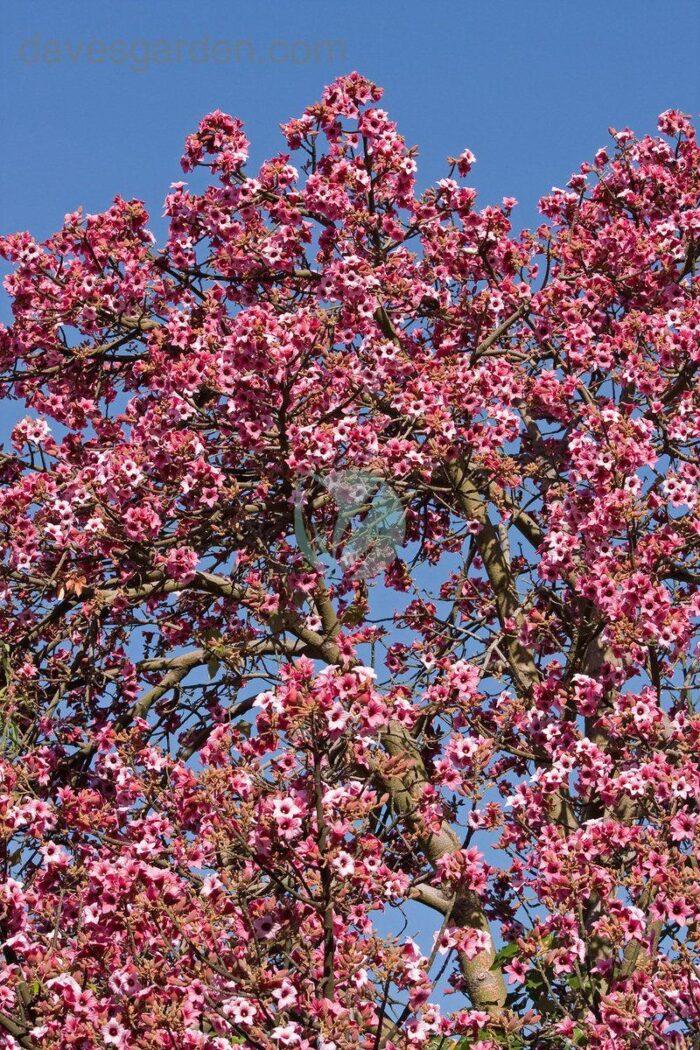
97, 100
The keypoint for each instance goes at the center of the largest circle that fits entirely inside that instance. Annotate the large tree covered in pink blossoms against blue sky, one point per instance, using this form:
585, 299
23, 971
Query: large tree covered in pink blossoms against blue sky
232, 784
